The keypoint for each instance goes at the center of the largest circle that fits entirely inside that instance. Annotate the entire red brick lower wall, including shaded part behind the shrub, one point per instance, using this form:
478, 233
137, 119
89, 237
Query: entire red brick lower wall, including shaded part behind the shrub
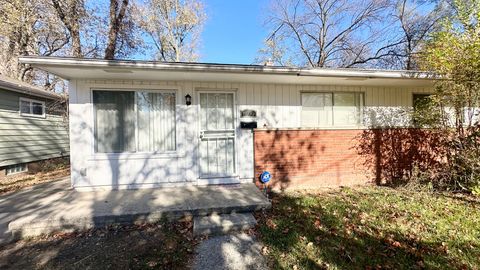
321, 158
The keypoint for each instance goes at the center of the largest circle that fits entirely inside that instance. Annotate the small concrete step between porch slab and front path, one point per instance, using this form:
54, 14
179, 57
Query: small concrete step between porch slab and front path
224, 223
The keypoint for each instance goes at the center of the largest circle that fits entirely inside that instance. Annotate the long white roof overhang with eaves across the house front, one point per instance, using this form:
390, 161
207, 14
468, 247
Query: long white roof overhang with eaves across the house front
74, 68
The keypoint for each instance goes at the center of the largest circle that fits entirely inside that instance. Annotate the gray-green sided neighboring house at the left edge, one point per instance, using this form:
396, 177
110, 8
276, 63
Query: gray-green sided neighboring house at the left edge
32, 126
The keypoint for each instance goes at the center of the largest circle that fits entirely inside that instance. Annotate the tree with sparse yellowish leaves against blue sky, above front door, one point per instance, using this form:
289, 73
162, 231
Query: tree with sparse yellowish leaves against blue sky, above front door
174, 27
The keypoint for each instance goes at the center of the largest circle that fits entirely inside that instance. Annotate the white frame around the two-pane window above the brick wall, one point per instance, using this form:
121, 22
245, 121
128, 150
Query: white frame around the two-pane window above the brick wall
333, 125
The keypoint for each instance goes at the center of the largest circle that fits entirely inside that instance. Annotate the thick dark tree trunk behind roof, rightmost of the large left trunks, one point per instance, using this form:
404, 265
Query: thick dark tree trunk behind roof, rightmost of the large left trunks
115, 22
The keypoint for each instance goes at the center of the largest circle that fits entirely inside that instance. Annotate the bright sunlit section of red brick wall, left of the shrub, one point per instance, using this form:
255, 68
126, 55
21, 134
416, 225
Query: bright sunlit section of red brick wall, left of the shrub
309, 158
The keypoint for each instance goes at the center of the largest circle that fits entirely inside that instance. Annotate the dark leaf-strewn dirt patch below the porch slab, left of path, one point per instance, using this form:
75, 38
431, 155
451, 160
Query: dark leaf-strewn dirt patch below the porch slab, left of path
164, 245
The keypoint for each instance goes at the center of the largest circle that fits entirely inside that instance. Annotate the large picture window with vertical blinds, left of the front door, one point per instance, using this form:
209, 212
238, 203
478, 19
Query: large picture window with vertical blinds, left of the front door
134, 121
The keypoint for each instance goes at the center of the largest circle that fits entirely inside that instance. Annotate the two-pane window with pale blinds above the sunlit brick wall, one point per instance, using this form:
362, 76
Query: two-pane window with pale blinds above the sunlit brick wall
332, 109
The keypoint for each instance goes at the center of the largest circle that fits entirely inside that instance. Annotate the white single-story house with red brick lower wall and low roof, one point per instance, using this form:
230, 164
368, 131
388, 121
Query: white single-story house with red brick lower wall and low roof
137, 124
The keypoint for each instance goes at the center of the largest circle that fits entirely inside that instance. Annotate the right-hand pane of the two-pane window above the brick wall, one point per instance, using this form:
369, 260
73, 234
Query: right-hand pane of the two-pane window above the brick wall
347, 109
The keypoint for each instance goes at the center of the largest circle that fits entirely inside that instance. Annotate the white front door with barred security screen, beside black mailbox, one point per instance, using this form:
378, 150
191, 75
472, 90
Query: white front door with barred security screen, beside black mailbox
217, 135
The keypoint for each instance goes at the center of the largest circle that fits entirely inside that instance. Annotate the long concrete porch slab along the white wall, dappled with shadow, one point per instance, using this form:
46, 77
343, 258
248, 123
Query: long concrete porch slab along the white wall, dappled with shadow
53, 206
